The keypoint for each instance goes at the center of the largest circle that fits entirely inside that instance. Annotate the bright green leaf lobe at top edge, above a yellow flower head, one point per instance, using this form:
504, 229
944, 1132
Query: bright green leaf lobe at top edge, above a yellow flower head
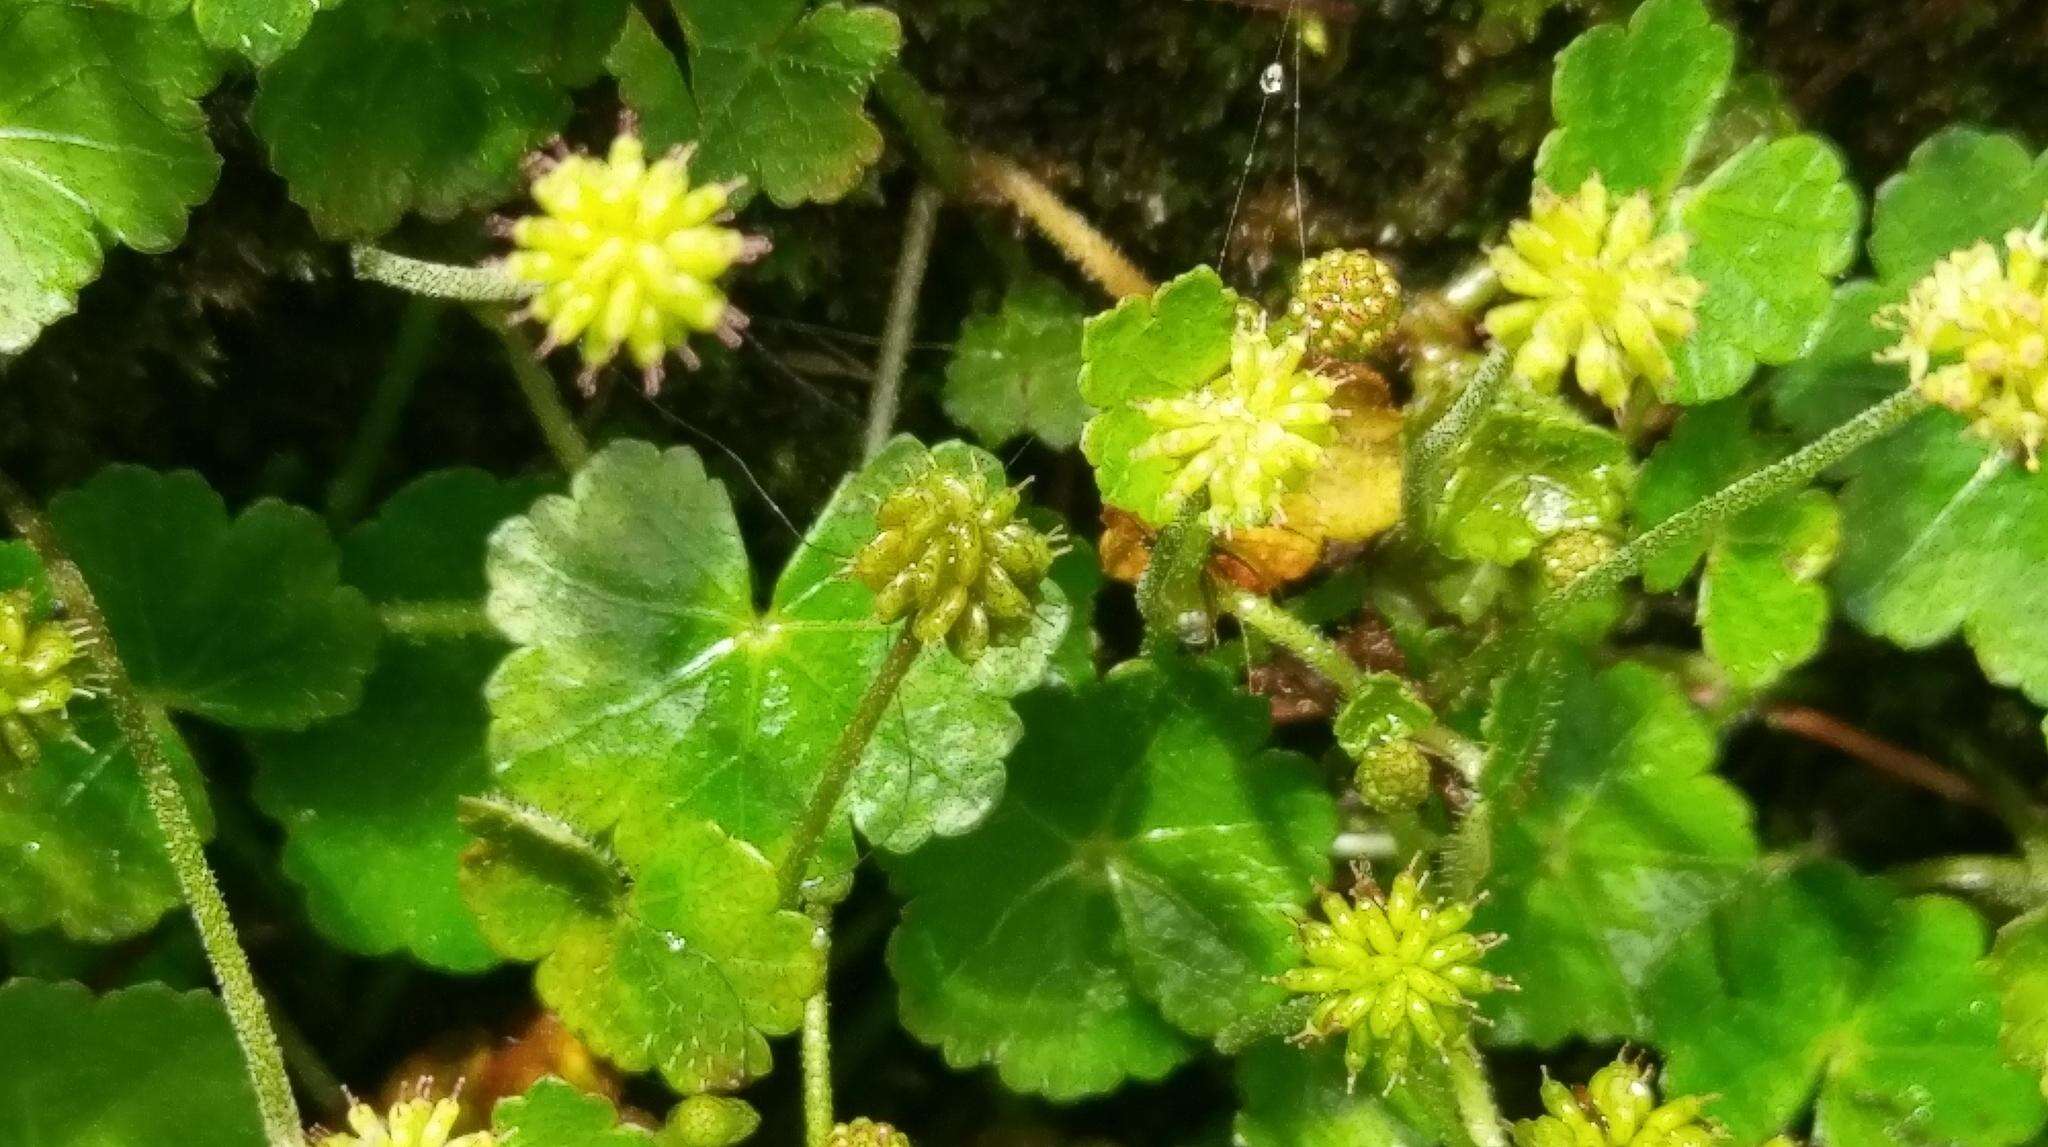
1633, 103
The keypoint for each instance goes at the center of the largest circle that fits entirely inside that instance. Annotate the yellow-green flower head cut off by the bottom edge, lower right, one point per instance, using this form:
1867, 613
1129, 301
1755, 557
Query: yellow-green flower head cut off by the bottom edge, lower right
1619, 1109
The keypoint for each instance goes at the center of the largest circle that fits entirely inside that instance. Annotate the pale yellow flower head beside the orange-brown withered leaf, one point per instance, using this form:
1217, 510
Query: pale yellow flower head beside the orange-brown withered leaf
1250, 437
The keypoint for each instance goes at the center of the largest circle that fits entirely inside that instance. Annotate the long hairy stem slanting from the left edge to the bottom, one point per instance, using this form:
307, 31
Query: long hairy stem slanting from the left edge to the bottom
140, 724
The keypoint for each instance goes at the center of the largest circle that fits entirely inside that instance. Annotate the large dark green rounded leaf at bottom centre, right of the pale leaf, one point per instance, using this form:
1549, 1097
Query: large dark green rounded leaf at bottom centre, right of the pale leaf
1107, 910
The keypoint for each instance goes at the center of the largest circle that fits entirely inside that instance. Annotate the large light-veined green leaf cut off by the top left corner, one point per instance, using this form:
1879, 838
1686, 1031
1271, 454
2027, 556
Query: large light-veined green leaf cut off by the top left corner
101, 142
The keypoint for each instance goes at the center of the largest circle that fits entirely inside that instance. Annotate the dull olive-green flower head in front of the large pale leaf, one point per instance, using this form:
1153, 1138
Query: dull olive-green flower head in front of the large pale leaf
955, 560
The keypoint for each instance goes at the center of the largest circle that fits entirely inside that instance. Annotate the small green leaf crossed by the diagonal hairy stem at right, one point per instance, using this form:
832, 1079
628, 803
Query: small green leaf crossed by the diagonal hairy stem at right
1762, 609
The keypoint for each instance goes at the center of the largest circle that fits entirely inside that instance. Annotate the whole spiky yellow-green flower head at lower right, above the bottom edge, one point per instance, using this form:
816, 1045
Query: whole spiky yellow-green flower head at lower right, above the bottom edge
1392, 974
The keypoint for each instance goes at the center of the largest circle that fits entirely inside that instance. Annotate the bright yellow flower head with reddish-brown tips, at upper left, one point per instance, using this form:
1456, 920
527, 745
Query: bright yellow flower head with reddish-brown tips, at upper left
626, 255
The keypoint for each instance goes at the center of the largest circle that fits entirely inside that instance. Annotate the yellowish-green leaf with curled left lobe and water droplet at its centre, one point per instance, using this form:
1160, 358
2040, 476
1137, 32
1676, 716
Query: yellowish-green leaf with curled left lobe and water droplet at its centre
683, 962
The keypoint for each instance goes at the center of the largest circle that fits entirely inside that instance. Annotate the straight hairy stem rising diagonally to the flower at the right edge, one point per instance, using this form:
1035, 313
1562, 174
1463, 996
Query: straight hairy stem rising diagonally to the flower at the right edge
1746, 495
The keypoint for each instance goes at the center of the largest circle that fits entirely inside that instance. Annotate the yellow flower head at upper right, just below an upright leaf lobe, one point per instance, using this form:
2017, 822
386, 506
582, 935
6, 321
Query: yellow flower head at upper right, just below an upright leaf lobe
1598, 292
